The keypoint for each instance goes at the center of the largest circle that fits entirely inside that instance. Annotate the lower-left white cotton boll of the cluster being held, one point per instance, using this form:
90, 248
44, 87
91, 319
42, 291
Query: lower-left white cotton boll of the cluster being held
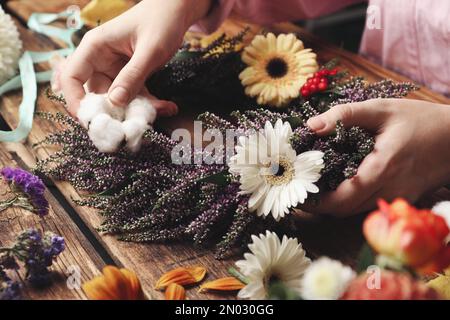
106, 133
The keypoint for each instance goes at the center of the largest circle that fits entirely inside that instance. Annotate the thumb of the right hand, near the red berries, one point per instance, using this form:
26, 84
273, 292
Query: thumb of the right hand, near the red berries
367, 115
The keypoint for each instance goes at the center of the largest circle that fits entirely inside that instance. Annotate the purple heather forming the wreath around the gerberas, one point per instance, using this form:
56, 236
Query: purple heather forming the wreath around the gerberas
146, 197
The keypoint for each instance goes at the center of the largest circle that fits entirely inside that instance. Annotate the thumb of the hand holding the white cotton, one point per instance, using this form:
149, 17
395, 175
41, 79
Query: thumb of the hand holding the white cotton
130, 80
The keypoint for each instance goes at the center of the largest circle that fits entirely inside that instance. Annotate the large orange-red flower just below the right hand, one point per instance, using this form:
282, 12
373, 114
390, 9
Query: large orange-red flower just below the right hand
413, 237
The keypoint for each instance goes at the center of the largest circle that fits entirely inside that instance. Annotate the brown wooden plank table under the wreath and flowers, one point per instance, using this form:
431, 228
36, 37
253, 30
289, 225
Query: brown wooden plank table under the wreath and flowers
89, 250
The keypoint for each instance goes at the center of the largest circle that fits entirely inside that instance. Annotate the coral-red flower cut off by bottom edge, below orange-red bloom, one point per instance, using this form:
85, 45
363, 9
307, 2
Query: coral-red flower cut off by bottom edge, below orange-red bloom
393, 286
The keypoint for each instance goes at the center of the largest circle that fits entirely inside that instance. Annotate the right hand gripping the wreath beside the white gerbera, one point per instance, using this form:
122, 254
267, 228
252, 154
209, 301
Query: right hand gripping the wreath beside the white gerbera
411, 155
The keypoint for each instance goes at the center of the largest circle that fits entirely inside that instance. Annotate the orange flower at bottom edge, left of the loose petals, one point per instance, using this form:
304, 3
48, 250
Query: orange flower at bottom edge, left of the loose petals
114, 284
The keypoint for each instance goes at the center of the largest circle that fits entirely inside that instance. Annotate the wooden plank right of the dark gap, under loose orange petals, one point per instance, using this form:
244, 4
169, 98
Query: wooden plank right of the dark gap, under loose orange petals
148, 261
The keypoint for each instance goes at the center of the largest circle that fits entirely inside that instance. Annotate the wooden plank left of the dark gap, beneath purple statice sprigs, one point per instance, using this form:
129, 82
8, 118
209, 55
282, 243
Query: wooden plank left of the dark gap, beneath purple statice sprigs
79, 252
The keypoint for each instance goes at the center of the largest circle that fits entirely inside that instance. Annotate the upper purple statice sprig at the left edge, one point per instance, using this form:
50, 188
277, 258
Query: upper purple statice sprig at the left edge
27, 191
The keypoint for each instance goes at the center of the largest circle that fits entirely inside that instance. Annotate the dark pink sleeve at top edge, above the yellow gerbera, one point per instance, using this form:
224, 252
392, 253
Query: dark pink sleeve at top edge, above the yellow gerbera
269, 11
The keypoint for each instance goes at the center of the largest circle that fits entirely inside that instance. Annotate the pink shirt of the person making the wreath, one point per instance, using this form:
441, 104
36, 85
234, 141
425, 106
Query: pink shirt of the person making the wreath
413, 38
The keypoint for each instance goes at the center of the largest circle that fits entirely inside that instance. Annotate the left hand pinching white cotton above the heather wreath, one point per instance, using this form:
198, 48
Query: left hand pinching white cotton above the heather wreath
118, 56
